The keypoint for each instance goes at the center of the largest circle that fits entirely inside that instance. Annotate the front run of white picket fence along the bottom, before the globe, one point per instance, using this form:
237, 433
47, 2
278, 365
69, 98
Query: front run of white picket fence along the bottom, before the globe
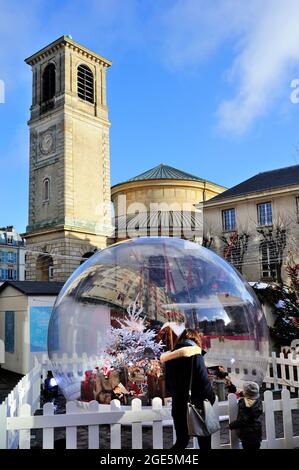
136, 417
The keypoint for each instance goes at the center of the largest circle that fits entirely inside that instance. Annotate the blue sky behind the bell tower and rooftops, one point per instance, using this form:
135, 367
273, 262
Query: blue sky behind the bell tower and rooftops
203, 86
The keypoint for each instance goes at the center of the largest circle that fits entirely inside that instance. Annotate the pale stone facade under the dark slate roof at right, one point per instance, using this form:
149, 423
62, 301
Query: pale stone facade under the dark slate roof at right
284, 203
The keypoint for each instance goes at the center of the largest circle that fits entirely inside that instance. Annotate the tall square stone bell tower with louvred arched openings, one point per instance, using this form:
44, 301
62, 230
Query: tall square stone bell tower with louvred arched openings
69, 183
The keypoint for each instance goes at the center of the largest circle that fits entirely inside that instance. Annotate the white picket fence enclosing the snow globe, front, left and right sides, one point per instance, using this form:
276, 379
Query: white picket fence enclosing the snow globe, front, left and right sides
17, 412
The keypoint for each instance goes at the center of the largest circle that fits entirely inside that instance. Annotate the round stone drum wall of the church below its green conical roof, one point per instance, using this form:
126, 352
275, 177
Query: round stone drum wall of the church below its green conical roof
161, 196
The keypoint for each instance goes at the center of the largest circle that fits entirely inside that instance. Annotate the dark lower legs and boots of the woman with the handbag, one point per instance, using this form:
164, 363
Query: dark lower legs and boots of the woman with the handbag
179, 414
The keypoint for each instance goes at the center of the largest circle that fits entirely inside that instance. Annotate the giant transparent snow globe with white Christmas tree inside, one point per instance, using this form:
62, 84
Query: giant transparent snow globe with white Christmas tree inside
130, 302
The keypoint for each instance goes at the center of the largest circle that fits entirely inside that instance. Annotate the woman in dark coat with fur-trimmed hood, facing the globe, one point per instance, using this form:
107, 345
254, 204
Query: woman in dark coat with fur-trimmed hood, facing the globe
178, 372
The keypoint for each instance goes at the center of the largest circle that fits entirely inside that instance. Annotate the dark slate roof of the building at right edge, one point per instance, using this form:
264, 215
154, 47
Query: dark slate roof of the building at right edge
279, 178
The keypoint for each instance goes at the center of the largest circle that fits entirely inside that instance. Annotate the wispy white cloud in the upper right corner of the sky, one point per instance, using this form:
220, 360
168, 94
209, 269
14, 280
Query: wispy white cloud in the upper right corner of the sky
270, 50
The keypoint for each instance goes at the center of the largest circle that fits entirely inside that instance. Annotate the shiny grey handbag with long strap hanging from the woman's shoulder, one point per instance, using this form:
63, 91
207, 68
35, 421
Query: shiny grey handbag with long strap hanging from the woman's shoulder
201, 422
